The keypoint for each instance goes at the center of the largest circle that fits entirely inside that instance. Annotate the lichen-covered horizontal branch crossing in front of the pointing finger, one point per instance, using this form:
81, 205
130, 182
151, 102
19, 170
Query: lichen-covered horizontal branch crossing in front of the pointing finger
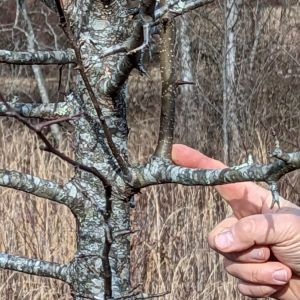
161, 170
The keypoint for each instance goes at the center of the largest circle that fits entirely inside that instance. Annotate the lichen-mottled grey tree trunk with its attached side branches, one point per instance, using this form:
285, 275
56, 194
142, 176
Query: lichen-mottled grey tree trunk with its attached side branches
100, 267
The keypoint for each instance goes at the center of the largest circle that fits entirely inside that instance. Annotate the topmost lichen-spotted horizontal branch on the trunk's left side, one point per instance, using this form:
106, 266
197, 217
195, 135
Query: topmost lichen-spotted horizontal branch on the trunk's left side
38, 58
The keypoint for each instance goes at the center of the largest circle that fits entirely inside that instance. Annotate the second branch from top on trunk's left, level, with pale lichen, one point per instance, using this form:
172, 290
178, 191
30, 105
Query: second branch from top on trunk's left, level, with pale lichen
40, 110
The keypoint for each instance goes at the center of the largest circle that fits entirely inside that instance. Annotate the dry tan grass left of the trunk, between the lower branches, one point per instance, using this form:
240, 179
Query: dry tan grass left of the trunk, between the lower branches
31, 226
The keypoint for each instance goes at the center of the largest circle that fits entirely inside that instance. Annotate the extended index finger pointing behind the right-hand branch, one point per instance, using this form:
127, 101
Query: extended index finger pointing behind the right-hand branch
245, 198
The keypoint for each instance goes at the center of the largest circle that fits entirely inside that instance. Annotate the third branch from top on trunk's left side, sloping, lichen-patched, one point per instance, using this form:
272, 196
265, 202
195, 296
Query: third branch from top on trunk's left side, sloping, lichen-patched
34, 185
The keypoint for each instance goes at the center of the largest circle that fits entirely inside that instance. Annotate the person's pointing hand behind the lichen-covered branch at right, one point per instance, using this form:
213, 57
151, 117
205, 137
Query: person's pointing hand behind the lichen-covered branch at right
248, 238
